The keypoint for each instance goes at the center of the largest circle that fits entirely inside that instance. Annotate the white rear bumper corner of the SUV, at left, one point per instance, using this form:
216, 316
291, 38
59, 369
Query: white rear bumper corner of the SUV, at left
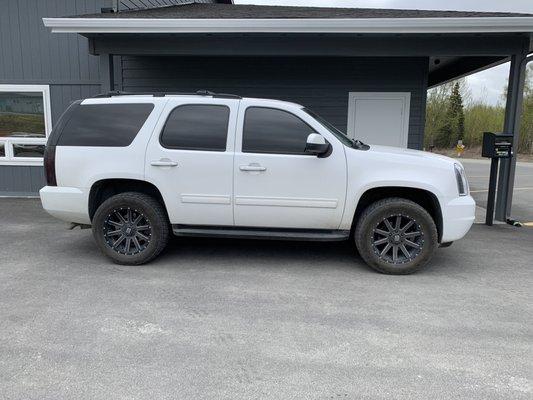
66, 203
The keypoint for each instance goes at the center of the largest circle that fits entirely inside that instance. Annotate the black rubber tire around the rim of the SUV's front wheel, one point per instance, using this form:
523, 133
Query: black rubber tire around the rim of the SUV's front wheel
365, 235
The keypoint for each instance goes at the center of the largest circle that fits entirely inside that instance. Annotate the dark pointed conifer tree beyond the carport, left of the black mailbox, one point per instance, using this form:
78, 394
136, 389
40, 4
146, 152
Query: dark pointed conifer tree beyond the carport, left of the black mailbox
454, 124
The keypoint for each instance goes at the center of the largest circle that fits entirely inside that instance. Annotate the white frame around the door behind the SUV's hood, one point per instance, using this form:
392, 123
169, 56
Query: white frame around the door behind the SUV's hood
404, 96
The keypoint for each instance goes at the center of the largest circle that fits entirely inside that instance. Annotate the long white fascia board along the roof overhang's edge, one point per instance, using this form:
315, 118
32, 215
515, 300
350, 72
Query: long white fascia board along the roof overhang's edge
301, 25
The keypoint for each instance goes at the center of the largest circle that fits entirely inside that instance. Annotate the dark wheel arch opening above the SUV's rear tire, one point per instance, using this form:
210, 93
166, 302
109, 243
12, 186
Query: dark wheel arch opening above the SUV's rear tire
103, 189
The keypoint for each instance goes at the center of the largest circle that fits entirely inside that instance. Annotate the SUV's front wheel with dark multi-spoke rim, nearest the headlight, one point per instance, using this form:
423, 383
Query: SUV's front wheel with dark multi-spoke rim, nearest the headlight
396, 236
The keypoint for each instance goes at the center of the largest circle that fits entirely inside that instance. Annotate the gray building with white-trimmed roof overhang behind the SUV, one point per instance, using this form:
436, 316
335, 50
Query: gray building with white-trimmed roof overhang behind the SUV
365, 70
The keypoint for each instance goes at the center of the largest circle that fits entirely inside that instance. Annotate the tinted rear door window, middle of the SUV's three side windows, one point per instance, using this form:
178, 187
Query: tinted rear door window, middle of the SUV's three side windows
196, 127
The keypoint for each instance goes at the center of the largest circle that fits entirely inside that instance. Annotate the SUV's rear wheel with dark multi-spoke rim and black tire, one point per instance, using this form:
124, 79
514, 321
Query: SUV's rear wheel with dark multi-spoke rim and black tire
131, 228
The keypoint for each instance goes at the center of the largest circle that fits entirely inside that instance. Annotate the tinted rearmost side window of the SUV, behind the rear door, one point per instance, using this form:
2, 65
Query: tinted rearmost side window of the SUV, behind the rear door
113, 125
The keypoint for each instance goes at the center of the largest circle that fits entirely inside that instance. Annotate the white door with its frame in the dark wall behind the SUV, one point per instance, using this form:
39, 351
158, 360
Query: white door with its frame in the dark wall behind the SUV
379, 118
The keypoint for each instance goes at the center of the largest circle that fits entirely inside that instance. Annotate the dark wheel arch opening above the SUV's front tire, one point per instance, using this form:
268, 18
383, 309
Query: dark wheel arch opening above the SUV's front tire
422, 197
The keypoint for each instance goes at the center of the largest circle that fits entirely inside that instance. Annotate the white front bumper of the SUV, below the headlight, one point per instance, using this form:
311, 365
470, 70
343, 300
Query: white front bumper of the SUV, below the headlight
458, 215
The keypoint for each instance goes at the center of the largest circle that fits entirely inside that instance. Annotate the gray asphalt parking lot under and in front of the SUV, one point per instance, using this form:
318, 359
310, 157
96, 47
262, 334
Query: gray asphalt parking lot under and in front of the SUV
223, 319
